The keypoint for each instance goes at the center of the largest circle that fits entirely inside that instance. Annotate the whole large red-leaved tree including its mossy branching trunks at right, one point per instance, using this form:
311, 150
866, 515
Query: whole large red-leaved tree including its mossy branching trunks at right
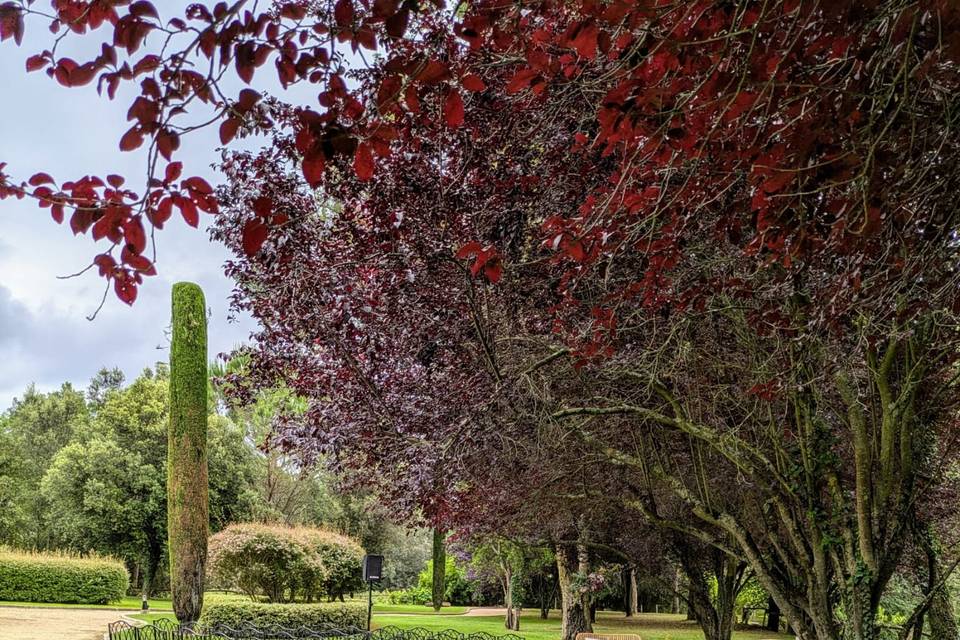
700, 241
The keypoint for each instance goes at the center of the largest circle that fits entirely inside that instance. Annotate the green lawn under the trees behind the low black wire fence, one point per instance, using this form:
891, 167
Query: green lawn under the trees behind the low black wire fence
649, 626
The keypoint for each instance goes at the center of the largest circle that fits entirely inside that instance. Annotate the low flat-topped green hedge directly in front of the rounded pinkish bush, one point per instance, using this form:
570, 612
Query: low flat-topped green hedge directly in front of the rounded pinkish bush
286, 615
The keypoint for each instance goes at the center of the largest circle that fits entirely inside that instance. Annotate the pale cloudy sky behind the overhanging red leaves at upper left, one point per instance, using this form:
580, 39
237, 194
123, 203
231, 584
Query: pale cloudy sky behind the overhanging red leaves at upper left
45, 338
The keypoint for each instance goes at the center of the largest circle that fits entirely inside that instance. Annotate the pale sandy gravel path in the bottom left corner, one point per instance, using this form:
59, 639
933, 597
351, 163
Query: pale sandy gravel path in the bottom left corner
36, 623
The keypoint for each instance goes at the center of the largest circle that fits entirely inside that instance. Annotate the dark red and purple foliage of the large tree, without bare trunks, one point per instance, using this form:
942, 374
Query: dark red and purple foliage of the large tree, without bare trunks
524, 180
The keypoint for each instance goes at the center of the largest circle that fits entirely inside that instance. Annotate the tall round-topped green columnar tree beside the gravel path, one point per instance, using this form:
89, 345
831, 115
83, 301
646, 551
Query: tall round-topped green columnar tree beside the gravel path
187, 509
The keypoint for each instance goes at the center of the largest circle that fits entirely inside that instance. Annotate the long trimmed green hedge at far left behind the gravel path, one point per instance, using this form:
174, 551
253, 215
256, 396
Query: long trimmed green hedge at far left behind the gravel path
38, 577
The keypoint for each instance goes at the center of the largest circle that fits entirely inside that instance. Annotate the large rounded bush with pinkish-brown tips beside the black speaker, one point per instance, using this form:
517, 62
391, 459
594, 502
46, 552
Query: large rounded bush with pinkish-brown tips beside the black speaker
285, 563
